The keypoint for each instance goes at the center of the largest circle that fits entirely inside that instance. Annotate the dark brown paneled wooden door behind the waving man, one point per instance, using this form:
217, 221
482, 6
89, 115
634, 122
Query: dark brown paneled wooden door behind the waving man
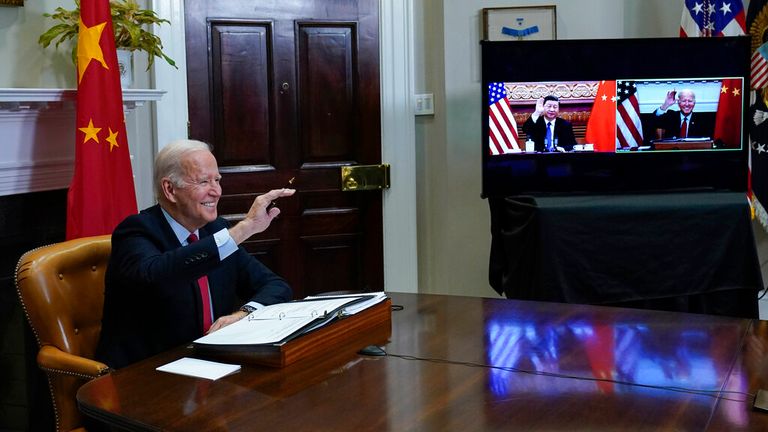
290, 90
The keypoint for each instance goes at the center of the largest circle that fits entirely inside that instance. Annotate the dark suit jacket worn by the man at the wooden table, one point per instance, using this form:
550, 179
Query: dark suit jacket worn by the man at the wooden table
152, 301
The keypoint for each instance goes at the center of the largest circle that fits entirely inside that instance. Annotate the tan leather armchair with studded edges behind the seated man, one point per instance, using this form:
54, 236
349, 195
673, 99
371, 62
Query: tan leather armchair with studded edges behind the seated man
61, 288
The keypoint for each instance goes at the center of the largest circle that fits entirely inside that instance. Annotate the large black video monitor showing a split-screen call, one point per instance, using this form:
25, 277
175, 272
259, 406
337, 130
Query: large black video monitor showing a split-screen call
615, 115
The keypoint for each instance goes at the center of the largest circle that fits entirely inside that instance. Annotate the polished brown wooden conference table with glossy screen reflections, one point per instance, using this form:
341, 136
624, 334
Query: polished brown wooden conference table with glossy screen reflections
555, 367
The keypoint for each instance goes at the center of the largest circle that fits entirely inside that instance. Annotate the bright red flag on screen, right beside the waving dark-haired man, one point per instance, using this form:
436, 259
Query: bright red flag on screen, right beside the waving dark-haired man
601, 127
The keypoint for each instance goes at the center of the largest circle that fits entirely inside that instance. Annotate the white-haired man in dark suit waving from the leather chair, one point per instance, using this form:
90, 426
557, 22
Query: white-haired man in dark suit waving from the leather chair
176, 270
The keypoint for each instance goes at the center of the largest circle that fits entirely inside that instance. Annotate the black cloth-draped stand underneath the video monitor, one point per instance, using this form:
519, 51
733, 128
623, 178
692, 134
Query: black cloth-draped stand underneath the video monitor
689, 252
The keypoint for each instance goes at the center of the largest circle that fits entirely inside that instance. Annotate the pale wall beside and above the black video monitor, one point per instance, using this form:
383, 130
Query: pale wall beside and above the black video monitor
454, 222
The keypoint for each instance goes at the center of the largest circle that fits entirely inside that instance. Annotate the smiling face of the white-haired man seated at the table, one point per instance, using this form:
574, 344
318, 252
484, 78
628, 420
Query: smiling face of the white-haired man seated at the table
194, 204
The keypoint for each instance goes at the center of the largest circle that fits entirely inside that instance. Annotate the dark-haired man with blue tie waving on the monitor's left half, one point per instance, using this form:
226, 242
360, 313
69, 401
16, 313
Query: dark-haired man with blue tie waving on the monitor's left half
549, 132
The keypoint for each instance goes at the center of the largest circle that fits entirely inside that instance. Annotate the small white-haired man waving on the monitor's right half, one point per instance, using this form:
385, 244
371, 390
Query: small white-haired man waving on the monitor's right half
683, 123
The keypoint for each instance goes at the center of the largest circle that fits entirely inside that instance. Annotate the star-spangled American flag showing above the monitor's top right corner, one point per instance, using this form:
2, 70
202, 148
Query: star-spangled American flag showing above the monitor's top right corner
713, 18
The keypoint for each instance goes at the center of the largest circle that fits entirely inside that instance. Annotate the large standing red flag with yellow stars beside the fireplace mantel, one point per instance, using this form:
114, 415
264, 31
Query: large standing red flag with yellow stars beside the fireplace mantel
101, 193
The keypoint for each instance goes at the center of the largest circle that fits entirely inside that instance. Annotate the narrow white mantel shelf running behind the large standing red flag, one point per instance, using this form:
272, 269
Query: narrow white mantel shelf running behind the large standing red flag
15, 99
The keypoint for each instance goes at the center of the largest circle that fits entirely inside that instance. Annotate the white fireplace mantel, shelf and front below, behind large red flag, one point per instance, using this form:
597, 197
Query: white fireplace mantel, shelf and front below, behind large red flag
37, 126
